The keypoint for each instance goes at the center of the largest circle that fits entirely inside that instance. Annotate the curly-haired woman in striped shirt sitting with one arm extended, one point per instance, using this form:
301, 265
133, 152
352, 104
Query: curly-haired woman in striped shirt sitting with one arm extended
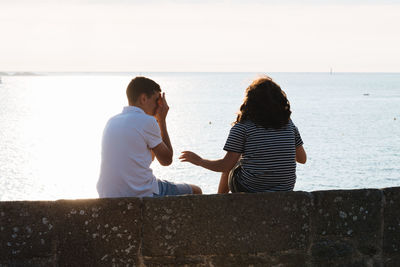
262, 147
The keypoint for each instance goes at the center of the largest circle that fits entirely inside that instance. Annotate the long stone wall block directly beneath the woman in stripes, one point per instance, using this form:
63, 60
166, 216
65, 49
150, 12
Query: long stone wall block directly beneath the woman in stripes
222, 225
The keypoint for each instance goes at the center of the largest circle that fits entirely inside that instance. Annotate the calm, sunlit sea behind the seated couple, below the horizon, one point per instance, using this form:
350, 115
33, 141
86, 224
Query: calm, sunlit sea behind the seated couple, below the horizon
51, 127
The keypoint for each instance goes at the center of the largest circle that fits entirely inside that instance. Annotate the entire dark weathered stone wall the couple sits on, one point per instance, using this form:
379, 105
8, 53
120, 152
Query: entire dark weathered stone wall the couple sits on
324, 228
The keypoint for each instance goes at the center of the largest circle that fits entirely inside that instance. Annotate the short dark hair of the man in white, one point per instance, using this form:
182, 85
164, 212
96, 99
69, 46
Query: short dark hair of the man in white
140, 85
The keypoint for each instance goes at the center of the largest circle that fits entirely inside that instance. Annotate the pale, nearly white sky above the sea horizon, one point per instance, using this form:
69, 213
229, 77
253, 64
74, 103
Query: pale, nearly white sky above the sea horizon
141, 36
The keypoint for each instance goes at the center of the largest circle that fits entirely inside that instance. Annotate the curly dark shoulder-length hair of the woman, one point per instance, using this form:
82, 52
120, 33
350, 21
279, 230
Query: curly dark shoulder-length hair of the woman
265, 104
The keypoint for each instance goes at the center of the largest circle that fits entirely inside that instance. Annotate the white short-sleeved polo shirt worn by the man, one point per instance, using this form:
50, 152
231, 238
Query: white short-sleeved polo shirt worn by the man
126, 155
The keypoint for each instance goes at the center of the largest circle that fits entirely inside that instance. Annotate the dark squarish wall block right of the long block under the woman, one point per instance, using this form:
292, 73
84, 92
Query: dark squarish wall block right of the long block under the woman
347, 227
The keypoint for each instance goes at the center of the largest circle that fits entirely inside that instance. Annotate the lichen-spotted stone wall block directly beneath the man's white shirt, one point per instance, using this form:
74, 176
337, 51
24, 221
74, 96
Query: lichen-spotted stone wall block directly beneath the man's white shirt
98, 231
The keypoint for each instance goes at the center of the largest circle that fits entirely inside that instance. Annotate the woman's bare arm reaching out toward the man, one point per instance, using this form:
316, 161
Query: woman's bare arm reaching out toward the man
220, 165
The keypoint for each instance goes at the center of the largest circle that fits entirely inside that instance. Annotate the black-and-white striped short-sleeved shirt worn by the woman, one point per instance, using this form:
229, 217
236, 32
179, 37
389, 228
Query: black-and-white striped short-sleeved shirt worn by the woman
268, 155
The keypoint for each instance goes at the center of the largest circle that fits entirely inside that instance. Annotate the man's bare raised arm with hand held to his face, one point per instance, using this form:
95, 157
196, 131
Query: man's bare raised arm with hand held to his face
163, 151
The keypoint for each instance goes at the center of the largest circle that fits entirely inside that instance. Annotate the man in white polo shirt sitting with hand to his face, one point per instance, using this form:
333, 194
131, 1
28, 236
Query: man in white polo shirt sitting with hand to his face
130, 142
